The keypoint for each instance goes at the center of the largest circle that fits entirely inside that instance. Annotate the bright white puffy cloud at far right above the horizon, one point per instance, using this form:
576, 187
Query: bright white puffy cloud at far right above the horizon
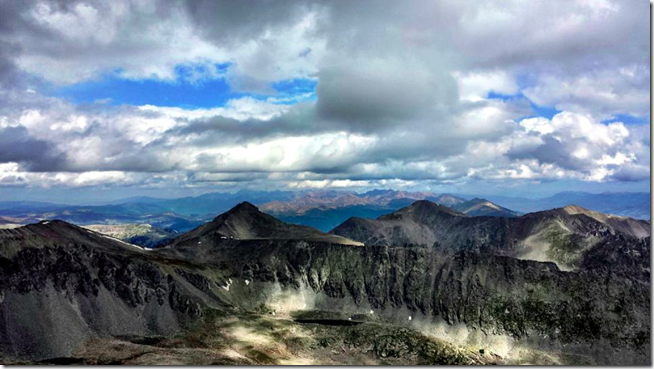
576, 145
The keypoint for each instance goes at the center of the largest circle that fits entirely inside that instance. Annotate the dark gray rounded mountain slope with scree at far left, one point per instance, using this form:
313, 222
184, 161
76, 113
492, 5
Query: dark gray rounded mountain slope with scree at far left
58, 295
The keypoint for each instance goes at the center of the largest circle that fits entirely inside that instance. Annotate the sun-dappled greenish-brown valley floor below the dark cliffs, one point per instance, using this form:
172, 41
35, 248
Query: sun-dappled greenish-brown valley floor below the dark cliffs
266, 339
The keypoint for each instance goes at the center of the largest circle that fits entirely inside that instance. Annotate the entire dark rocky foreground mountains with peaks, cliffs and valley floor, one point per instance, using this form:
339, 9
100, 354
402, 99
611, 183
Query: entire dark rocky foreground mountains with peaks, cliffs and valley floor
426, 284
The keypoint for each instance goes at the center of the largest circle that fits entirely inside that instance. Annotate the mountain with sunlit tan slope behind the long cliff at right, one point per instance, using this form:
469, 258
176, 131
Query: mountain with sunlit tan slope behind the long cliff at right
559, 235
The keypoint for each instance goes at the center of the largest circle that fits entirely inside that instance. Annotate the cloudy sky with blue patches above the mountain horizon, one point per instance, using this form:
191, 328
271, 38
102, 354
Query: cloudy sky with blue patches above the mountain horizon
103, 100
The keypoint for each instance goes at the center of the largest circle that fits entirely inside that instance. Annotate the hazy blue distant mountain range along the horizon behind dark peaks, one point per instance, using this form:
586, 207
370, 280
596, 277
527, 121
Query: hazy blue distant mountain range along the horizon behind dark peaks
323, 210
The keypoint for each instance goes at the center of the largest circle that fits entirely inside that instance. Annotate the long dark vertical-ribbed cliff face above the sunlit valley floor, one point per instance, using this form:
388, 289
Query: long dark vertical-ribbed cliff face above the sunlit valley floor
494, 294
